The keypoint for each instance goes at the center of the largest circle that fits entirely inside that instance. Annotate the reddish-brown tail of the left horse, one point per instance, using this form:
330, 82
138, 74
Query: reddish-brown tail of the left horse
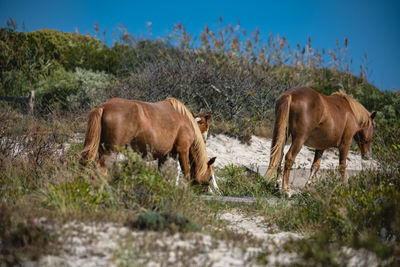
93, 134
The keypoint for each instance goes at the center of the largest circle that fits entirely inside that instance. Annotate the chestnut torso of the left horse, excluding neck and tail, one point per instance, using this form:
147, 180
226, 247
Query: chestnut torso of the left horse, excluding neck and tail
142, 124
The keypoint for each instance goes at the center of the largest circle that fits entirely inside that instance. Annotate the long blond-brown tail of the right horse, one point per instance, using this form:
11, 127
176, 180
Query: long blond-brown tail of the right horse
282, 110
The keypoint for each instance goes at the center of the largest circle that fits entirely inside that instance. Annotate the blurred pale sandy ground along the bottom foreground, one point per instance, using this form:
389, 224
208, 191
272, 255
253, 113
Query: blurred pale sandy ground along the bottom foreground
108, 244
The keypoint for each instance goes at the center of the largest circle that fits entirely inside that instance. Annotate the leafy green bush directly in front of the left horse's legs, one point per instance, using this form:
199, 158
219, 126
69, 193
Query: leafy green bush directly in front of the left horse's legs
139, 185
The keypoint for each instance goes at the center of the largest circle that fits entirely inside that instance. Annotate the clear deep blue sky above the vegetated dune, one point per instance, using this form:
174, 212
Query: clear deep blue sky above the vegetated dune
373, 27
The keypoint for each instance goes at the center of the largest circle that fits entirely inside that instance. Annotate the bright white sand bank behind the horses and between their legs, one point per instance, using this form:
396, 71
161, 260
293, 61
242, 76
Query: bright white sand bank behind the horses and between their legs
256, 157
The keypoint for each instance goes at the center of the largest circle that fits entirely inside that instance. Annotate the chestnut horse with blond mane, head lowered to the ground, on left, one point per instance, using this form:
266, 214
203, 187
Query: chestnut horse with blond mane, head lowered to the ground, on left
163, 128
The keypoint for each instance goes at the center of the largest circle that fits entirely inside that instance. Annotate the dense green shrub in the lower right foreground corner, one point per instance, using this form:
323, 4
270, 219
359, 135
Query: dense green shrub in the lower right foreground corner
362, 214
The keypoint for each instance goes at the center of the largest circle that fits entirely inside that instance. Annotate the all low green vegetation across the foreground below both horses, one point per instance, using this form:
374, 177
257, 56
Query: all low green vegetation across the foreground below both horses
361, 214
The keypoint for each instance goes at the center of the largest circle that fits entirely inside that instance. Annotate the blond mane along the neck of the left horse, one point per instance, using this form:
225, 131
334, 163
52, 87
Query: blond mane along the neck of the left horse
199, 146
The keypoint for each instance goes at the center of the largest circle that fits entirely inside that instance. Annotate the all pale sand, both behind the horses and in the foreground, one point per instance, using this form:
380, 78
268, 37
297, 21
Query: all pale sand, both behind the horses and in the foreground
106, 244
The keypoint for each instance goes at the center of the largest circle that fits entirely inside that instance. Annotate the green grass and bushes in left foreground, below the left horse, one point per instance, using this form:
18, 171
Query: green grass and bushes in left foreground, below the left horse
61, 191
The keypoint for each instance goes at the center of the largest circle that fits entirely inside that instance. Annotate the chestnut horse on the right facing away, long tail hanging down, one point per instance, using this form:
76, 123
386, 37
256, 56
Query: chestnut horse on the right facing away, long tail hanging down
320, 122
